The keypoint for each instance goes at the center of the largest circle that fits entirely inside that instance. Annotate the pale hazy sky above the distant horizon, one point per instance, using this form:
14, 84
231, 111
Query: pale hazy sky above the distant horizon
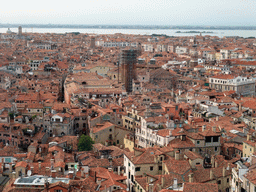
155, 12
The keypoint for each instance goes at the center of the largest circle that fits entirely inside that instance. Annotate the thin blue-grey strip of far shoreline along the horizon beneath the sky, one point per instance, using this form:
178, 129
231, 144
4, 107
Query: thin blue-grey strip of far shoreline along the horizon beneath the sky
150, 27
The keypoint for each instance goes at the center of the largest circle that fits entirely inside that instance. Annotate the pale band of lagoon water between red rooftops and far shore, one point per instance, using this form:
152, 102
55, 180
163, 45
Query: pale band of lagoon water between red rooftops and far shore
169, 32
